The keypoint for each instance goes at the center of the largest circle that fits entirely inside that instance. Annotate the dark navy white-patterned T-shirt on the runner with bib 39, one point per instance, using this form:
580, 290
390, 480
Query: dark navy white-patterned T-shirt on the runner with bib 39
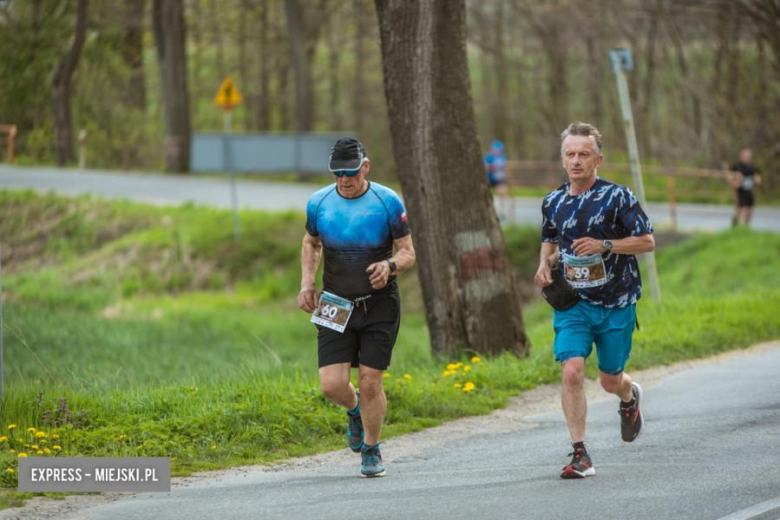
606, 211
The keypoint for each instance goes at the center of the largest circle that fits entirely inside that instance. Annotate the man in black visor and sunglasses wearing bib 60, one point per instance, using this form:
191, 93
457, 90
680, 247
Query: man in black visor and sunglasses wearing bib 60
355, 224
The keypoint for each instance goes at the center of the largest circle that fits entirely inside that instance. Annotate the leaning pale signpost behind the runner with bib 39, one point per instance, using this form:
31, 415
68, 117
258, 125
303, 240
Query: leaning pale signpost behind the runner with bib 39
621, 61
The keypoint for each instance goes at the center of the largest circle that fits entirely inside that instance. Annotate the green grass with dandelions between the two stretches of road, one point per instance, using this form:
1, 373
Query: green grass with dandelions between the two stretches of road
164, 337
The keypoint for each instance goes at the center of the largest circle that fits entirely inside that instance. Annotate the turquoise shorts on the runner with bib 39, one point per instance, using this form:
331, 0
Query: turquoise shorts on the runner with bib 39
576, 330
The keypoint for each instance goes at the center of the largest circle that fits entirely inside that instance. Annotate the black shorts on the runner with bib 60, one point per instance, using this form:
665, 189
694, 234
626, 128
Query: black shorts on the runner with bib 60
369, 336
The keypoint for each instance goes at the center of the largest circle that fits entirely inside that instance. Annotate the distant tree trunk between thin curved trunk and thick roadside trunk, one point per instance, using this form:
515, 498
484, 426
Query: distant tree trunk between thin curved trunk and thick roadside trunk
132, 51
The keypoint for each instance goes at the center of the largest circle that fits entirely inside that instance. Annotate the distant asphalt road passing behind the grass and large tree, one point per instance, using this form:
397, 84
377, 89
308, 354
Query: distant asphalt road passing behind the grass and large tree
174, 190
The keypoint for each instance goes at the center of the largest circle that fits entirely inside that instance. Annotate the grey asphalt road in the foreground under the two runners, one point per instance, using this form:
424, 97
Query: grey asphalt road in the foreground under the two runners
709, 451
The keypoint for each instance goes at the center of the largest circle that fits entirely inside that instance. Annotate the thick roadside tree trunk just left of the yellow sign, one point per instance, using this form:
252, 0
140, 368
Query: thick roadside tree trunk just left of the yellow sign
170, 39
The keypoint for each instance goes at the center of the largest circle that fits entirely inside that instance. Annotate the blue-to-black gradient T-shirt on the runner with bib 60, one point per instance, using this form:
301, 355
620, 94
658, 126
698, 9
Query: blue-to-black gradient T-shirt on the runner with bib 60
355, 233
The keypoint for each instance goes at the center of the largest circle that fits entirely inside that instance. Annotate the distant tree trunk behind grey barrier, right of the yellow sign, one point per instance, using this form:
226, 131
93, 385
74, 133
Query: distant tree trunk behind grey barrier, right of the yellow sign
304, 91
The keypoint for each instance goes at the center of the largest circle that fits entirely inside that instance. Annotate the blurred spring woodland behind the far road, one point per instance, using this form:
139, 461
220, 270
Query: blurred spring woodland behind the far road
705, 81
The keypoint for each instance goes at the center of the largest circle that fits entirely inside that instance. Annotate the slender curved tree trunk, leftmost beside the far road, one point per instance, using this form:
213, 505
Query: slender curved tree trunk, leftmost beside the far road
61, 89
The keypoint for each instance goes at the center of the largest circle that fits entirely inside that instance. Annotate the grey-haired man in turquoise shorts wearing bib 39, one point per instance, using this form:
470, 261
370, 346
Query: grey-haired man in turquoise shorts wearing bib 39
591, 231
